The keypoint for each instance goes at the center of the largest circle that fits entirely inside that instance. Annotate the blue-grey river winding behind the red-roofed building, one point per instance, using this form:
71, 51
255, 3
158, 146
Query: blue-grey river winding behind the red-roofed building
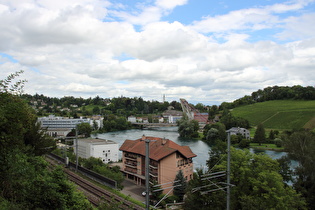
198, 147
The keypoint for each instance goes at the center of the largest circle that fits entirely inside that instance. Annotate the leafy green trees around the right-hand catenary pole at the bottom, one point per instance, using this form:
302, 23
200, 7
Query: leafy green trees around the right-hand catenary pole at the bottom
258, 185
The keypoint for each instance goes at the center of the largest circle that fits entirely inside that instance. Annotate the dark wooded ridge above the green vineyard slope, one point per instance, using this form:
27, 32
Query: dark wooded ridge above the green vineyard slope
296, 92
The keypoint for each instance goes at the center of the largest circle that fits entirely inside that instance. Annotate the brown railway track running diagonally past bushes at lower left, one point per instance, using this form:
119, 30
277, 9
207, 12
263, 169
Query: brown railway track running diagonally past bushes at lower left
96, 195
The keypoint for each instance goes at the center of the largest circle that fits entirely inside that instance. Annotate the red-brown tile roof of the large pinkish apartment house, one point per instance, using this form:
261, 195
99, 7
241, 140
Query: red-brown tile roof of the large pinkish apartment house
159, 148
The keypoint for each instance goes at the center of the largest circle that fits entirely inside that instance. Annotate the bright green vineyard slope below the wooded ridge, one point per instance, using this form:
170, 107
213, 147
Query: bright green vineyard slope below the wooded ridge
279, 114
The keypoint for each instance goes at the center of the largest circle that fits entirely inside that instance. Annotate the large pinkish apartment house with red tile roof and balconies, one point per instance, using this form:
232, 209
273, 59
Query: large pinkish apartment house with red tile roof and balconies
166, 159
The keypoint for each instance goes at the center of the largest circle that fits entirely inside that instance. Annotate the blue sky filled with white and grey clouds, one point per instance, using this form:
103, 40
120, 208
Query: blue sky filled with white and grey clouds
204, 51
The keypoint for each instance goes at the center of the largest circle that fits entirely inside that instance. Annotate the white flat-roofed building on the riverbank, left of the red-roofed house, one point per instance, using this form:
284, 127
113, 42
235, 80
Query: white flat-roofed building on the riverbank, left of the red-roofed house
106, 150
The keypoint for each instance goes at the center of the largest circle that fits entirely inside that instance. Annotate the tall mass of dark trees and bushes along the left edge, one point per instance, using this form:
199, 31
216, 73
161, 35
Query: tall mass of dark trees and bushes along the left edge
26, 182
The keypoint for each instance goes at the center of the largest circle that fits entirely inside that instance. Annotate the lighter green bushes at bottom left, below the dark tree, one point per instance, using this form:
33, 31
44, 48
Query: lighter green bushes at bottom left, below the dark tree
26, 181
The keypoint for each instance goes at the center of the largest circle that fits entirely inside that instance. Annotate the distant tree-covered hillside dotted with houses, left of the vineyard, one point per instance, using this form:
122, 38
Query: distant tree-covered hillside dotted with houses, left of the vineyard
119, 106
